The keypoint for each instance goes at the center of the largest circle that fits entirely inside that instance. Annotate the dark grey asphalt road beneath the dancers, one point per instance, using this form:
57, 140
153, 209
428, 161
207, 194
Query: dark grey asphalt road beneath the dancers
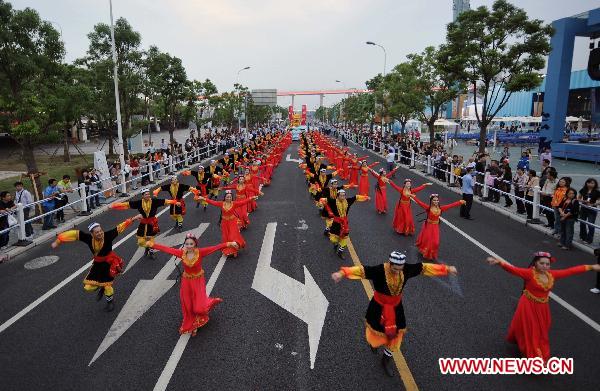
252, 343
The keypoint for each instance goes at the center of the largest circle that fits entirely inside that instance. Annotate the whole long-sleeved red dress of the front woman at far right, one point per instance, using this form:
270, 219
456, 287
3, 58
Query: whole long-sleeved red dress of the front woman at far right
531, 323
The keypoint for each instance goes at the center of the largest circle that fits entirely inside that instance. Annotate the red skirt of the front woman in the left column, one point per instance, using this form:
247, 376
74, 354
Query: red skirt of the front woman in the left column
195, 305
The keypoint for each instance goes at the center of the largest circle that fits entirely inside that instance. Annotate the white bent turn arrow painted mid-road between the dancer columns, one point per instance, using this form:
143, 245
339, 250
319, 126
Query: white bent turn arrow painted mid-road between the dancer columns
305, 301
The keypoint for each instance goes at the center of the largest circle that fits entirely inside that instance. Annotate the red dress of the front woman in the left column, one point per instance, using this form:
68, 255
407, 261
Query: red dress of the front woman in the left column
195, 304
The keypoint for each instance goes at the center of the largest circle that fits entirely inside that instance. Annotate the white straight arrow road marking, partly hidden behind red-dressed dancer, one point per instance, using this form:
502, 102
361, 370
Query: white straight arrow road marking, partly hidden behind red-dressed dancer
145, 294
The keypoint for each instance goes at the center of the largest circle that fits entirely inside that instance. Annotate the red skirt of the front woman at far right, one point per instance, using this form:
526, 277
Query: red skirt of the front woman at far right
529, 328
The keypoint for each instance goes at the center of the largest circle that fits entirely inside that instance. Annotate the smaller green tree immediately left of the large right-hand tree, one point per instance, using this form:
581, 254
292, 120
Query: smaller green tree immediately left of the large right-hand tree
438, 83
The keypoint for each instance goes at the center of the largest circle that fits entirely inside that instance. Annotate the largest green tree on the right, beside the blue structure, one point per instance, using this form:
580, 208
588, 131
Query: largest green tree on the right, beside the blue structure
498, 52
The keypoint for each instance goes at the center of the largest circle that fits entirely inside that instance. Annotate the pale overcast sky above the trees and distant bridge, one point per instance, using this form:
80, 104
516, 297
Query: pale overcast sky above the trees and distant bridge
289, 45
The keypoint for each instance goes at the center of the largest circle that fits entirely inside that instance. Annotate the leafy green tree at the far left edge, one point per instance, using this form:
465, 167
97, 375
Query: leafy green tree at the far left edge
31, 52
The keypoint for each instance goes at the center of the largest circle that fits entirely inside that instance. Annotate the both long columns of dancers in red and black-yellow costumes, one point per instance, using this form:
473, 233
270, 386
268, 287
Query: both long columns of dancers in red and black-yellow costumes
242, 174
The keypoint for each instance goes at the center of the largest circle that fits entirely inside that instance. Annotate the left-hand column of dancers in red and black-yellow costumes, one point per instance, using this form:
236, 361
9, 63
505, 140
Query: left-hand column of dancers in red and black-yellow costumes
241, 173
